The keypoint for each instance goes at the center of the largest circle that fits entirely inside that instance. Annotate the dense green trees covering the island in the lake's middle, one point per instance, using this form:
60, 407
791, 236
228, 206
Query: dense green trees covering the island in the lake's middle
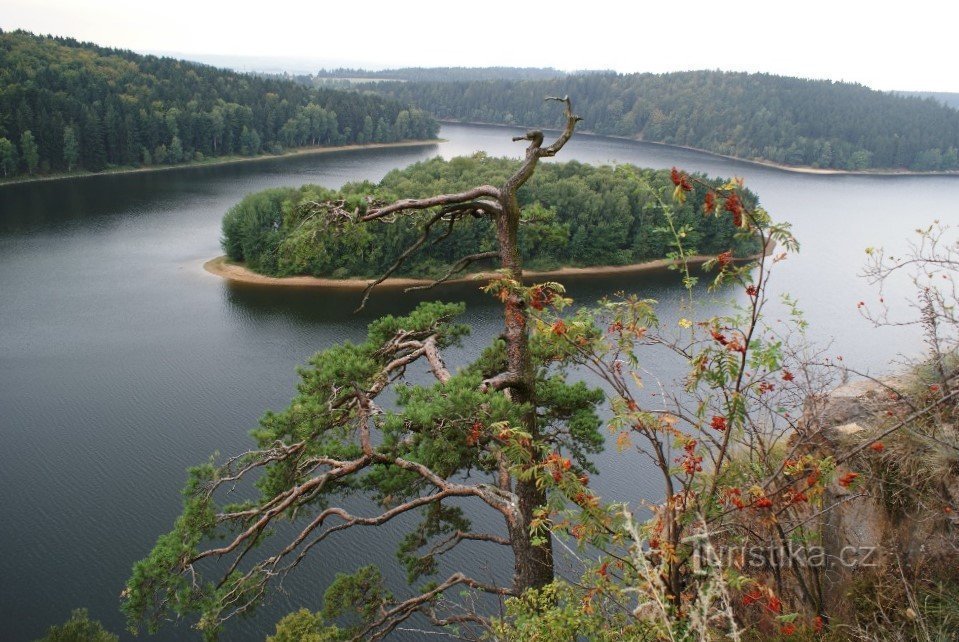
576, 215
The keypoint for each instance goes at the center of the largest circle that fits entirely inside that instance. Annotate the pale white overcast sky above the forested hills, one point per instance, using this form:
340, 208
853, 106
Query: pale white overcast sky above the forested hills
884, 45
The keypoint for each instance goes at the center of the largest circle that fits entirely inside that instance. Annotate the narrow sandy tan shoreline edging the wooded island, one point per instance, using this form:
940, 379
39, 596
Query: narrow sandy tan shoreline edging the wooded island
237, 273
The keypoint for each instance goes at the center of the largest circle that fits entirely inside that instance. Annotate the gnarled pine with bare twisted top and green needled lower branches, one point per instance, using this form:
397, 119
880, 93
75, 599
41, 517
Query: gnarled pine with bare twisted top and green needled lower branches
484, 432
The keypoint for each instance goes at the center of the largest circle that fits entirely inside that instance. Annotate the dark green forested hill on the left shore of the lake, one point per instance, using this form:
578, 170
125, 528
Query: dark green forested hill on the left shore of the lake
66, 105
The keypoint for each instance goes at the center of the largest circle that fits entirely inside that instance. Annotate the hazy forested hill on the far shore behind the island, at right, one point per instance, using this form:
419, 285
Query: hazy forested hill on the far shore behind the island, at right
754, 116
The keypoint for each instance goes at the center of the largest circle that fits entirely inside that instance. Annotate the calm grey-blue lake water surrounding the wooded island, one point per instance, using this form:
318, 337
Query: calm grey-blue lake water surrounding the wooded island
122, 362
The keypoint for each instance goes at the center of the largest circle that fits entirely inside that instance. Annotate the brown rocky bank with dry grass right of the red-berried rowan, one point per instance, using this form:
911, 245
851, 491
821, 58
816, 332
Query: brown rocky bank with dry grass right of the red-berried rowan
900, 514
